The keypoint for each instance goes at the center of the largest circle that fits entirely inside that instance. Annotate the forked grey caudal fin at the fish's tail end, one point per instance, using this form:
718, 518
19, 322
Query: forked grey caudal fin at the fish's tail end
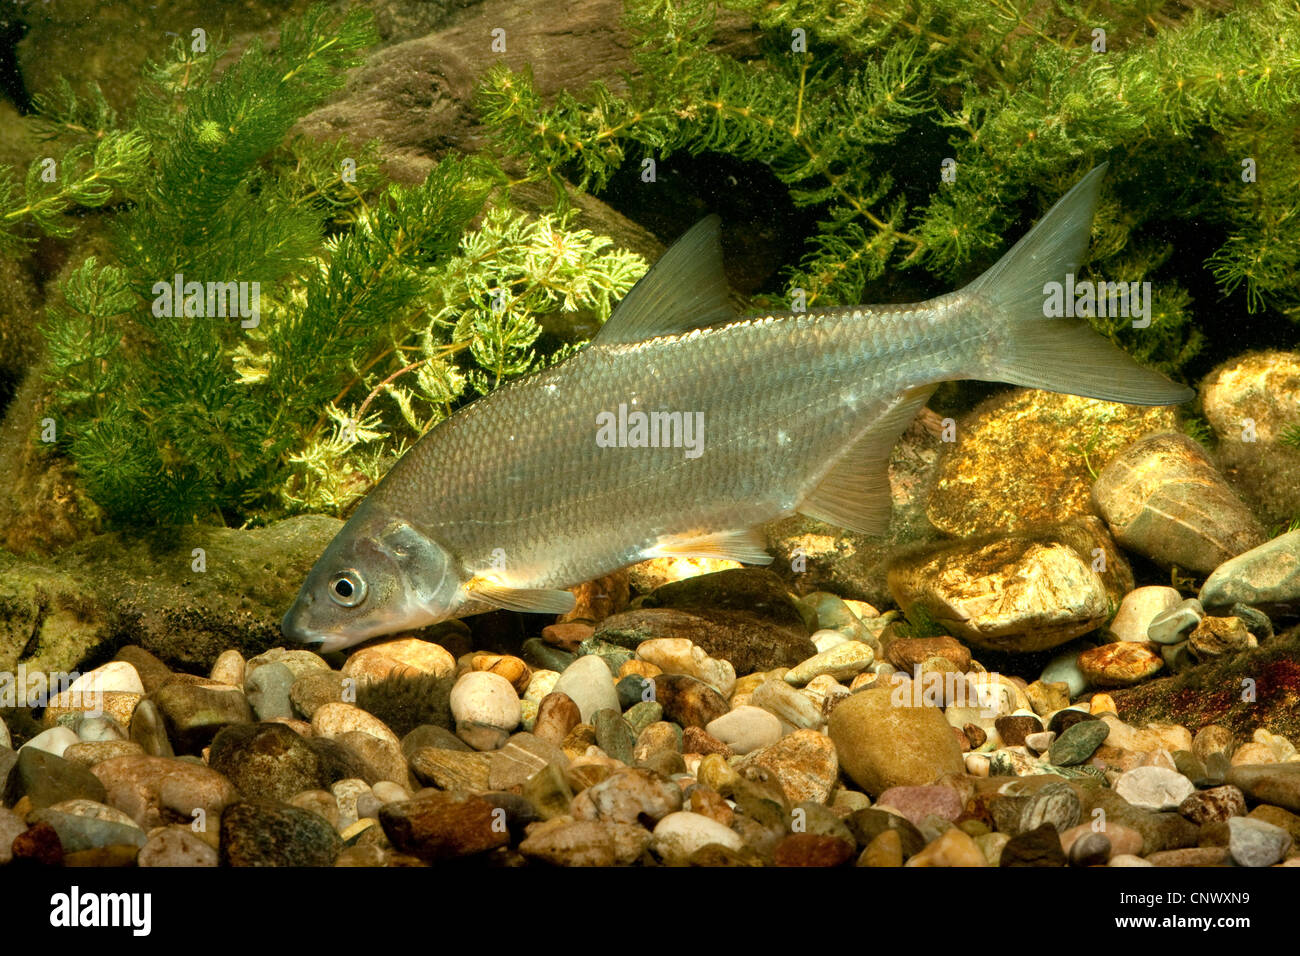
1060, 354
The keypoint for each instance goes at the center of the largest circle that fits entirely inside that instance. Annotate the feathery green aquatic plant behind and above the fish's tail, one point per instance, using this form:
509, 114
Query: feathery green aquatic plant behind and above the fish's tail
1019, 100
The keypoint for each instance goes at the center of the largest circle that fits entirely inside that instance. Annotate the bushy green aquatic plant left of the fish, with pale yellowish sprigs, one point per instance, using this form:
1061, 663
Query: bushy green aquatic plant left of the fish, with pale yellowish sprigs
271, 325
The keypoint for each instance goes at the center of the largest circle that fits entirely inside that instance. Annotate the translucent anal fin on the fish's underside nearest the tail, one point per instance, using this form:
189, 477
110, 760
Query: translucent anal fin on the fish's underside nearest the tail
856, 494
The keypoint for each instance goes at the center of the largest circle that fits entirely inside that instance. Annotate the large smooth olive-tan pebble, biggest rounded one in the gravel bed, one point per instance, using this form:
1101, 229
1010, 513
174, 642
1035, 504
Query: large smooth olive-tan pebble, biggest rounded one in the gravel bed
883, 746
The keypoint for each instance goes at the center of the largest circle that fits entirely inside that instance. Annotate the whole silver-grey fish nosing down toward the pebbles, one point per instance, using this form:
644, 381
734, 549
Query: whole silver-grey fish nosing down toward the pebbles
681, 430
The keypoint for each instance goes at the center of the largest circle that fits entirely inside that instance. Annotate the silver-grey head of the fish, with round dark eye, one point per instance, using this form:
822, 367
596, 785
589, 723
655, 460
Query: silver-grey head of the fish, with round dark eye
379, 576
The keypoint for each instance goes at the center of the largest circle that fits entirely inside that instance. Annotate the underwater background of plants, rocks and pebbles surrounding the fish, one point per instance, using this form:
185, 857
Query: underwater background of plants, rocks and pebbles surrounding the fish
252, 253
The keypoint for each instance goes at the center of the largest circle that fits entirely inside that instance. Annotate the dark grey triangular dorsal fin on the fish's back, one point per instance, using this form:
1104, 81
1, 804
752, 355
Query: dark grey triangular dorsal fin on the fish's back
684, 291
